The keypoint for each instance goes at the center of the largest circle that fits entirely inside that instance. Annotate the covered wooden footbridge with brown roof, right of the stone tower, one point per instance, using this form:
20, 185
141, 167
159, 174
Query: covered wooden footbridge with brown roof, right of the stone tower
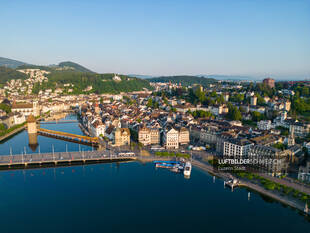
69, 136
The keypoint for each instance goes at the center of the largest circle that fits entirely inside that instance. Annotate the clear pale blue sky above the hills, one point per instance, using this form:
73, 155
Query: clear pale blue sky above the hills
161, 37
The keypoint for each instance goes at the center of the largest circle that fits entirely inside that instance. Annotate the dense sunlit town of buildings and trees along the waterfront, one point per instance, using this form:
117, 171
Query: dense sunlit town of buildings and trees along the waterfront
221, 119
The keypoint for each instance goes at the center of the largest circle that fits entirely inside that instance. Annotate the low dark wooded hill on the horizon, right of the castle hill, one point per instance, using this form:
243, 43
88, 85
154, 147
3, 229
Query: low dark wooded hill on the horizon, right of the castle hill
184, 80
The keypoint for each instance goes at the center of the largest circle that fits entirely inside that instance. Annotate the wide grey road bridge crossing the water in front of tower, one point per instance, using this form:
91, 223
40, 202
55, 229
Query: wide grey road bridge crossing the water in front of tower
61, 158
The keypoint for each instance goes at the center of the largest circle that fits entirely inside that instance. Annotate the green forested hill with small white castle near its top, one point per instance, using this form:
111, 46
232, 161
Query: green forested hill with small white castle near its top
100, 83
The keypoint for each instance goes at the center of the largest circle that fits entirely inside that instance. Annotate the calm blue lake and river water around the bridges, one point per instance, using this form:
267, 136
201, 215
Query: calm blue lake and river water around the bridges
129, 197
